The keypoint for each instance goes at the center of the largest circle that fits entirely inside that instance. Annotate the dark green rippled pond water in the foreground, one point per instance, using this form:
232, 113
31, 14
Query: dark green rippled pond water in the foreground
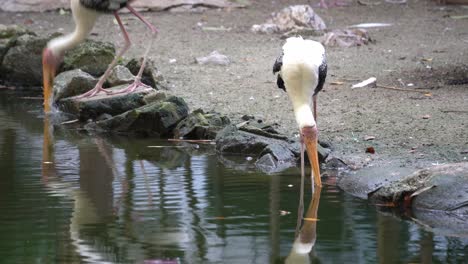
70, 197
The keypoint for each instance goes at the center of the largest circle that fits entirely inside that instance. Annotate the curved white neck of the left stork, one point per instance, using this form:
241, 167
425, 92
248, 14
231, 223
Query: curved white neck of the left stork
84, 22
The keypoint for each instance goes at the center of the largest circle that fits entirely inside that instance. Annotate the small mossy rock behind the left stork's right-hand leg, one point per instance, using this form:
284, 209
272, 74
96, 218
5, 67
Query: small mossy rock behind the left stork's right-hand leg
151, 75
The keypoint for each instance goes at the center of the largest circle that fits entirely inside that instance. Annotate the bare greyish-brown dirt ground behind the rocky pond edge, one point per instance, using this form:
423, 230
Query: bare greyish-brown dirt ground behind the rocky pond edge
424, 47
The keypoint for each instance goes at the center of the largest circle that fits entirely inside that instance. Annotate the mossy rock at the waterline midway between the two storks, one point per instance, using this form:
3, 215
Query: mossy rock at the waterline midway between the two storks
200, 125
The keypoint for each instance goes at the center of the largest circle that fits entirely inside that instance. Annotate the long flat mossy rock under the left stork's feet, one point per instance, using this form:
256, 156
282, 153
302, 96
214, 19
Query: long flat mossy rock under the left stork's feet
92, 107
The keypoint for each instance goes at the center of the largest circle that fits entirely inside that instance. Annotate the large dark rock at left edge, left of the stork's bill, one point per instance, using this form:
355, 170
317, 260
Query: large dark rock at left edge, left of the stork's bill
22, 61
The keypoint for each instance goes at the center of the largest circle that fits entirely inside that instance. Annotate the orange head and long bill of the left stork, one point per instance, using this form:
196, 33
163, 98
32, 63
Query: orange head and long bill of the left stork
50, 63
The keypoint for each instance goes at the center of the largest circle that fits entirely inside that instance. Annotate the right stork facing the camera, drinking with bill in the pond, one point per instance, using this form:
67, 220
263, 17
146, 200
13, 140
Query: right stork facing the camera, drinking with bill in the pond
302, 70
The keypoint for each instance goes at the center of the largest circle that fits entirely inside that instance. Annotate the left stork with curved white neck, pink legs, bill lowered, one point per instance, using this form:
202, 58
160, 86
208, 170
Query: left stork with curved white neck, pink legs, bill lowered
85, 14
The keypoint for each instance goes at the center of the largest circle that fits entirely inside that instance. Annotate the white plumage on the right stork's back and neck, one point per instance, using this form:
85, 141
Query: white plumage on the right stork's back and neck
301, 61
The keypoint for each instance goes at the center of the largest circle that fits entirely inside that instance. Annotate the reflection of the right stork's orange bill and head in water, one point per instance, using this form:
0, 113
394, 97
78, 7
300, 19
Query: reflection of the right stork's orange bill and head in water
306, 236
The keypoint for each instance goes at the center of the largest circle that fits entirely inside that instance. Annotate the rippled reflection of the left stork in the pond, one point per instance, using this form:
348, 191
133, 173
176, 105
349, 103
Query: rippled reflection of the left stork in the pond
93, 202
